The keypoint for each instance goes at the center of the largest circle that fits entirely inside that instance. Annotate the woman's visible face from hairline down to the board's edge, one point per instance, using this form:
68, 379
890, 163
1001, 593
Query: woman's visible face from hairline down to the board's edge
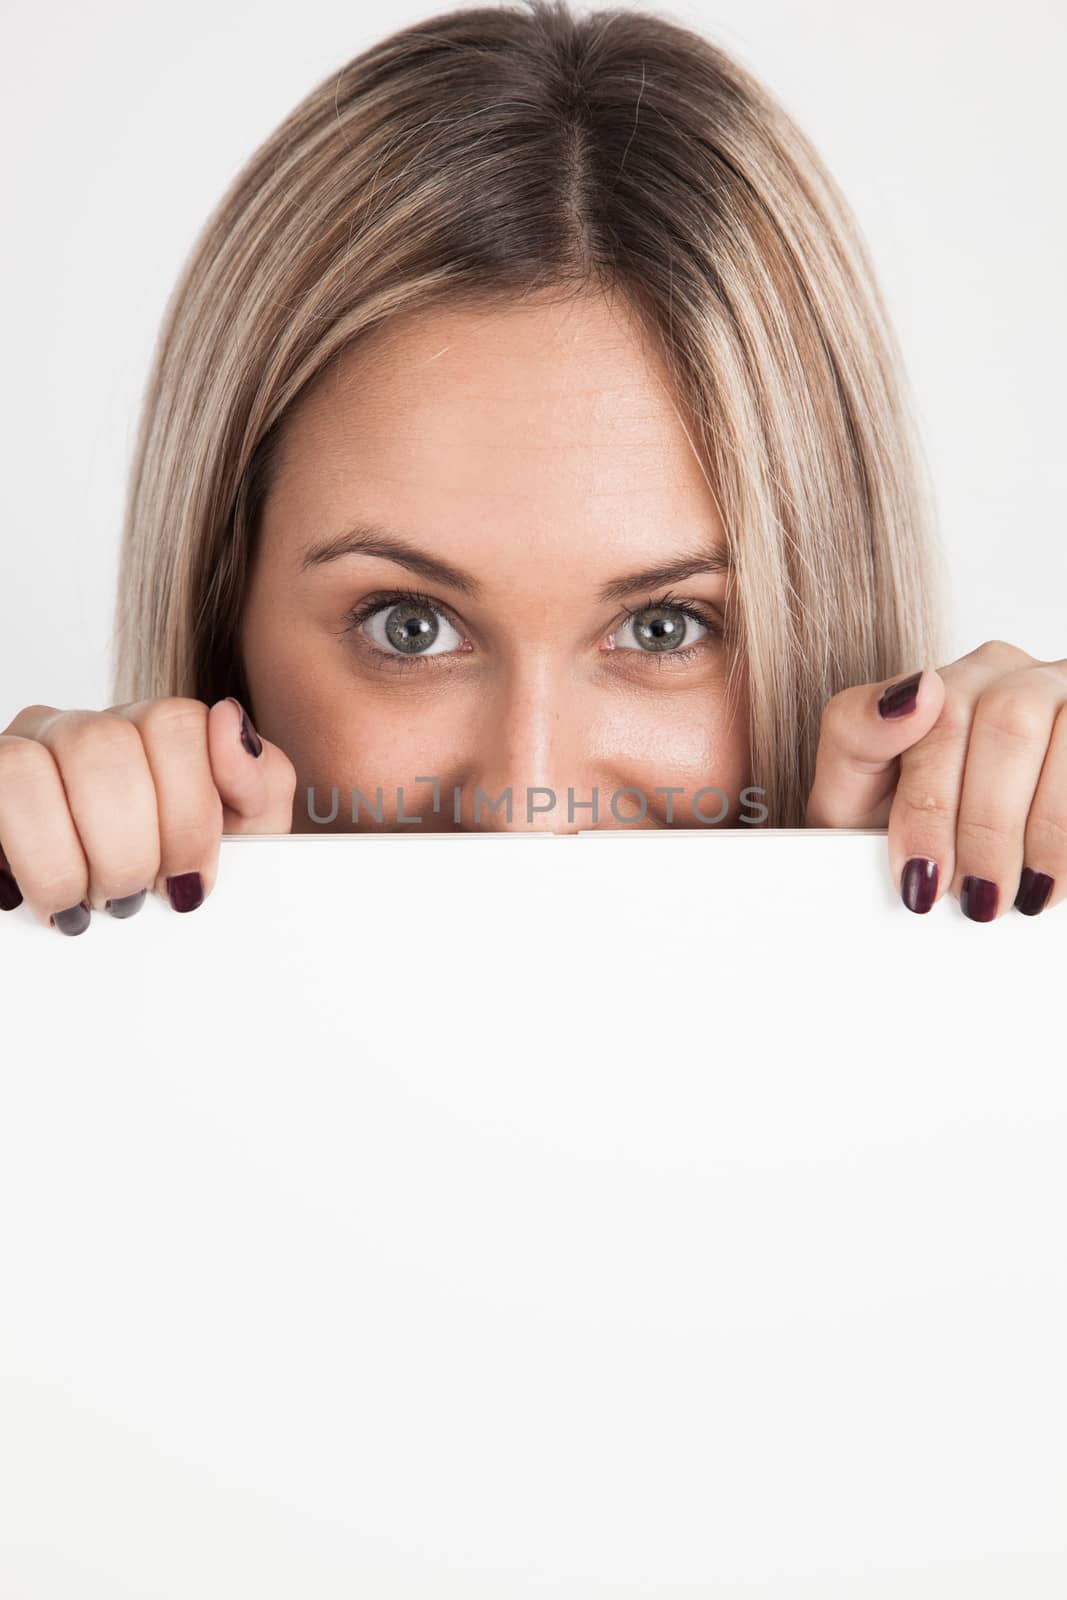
524, 473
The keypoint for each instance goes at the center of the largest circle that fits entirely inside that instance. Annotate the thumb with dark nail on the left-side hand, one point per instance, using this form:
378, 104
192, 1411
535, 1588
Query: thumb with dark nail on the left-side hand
255, 780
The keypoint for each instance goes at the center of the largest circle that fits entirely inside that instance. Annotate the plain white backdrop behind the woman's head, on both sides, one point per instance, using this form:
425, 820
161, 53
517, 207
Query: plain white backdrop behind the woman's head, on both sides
124, 122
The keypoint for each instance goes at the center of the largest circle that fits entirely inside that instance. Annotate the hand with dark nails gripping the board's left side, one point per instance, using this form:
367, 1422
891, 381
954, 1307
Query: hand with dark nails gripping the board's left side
102, 807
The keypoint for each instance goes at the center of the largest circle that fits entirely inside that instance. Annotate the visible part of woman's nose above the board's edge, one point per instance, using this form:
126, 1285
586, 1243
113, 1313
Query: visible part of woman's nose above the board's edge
530, 740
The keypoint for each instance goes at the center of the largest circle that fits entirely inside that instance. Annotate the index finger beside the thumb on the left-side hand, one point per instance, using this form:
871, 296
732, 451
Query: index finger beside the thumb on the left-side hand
175, 738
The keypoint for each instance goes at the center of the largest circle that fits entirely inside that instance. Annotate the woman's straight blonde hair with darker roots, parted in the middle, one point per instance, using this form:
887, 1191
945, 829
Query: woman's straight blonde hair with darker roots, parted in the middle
492, 154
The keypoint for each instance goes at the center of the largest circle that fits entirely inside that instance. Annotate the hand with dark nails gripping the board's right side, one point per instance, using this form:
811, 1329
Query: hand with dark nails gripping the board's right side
970, 777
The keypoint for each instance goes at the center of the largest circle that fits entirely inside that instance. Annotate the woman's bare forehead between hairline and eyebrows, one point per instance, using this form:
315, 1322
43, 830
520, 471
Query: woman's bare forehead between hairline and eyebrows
549, 423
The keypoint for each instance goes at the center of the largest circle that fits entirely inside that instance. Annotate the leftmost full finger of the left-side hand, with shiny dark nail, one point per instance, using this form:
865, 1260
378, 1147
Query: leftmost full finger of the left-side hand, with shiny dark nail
41, 844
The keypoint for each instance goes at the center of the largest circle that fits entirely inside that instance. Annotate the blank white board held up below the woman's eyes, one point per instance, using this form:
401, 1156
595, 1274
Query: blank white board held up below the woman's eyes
649, 1214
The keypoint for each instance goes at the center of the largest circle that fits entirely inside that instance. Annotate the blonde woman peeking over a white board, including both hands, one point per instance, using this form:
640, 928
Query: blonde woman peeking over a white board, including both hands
527, 423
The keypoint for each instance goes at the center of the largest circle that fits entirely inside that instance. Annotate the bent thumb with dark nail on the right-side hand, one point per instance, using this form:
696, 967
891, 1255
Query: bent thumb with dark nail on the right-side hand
865, 732
